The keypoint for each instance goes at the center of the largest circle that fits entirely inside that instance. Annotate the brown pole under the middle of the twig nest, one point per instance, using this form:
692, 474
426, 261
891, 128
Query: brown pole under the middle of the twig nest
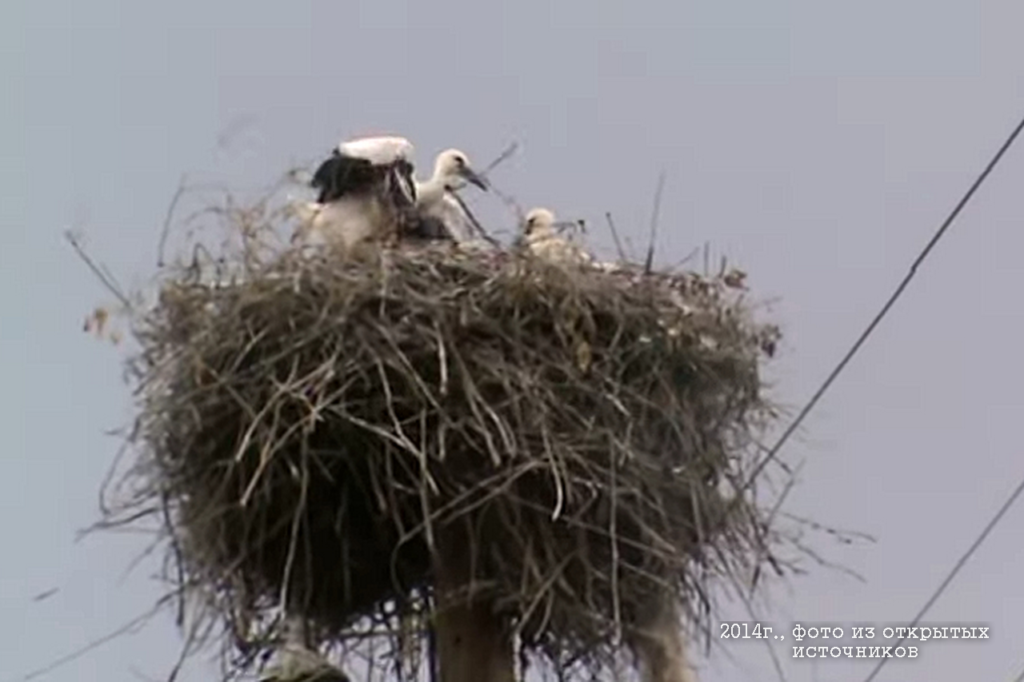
474, 644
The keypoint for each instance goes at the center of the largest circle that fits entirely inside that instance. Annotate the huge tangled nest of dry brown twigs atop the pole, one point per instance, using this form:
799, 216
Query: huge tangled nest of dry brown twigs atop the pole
311, 429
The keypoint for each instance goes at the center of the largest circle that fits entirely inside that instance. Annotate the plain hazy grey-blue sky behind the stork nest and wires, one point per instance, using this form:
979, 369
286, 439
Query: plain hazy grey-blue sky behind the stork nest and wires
817, 144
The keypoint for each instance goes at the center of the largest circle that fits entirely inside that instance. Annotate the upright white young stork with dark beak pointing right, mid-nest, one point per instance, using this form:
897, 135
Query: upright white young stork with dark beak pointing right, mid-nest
442, 217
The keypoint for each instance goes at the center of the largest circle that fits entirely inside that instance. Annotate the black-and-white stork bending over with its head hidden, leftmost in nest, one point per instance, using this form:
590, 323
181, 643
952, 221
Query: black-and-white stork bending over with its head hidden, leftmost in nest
366, 189
